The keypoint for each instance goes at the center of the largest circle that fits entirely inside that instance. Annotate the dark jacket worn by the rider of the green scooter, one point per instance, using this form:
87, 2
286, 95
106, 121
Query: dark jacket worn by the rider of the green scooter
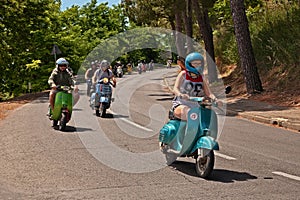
59, 77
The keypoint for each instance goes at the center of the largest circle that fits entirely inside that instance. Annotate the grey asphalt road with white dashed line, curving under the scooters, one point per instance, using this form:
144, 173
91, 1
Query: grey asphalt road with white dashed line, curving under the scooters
117, 157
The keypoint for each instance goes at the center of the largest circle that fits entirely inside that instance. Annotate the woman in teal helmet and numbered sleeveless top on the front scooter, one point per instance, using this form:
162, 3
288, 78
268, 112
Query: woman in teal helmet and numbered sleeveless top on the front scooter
190, 82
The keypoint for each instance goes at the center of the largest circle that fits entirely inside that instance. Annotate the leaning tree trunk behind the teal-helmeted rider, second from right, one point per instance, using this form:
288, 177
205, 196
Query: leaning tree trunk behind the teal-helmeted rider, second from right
207, 35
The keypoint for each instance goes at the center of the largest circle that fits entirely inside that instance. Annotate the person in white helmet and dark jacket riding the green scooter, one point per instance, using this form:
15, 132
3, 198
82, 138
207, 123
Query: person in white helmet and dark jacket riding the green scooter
62, 74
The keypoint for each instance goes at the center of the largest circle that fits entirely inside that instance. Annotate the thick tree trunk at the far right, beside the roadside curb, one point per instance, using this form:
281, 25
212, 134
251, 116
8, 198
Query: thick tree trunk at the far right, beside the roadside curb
247, 59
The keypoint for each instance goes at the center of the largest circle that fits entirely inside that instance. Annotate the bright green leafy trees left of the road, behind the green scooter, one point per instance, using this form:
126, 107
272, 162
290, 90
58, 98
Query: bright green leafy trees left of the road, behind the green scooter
29, 29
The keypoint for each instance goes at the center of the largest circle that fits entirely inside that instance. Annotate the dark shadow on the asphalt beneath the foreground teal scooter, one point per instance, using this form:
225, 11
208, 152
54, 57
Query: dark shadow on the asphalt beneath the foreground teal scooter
218, 175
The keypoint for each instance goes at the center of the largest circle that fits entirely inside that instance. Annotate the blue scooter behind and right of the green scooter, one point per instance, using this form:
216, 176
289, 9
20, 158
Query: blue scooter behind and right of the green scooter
102, 98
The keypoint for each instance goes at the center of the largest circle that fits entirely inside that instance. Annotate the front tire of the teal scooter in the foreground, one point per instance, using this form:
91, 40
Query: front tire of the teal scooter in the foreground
205, 165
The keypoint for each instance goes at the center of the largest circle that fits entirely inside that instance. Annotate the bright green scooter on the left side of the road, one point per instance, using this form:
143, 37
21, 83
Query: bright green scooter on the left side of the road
63, 107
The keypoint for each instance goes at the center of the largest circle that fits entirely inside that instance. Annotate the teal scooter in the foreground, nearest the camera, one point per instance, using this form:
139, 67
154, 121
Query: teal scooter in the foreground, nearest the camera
195, 137
